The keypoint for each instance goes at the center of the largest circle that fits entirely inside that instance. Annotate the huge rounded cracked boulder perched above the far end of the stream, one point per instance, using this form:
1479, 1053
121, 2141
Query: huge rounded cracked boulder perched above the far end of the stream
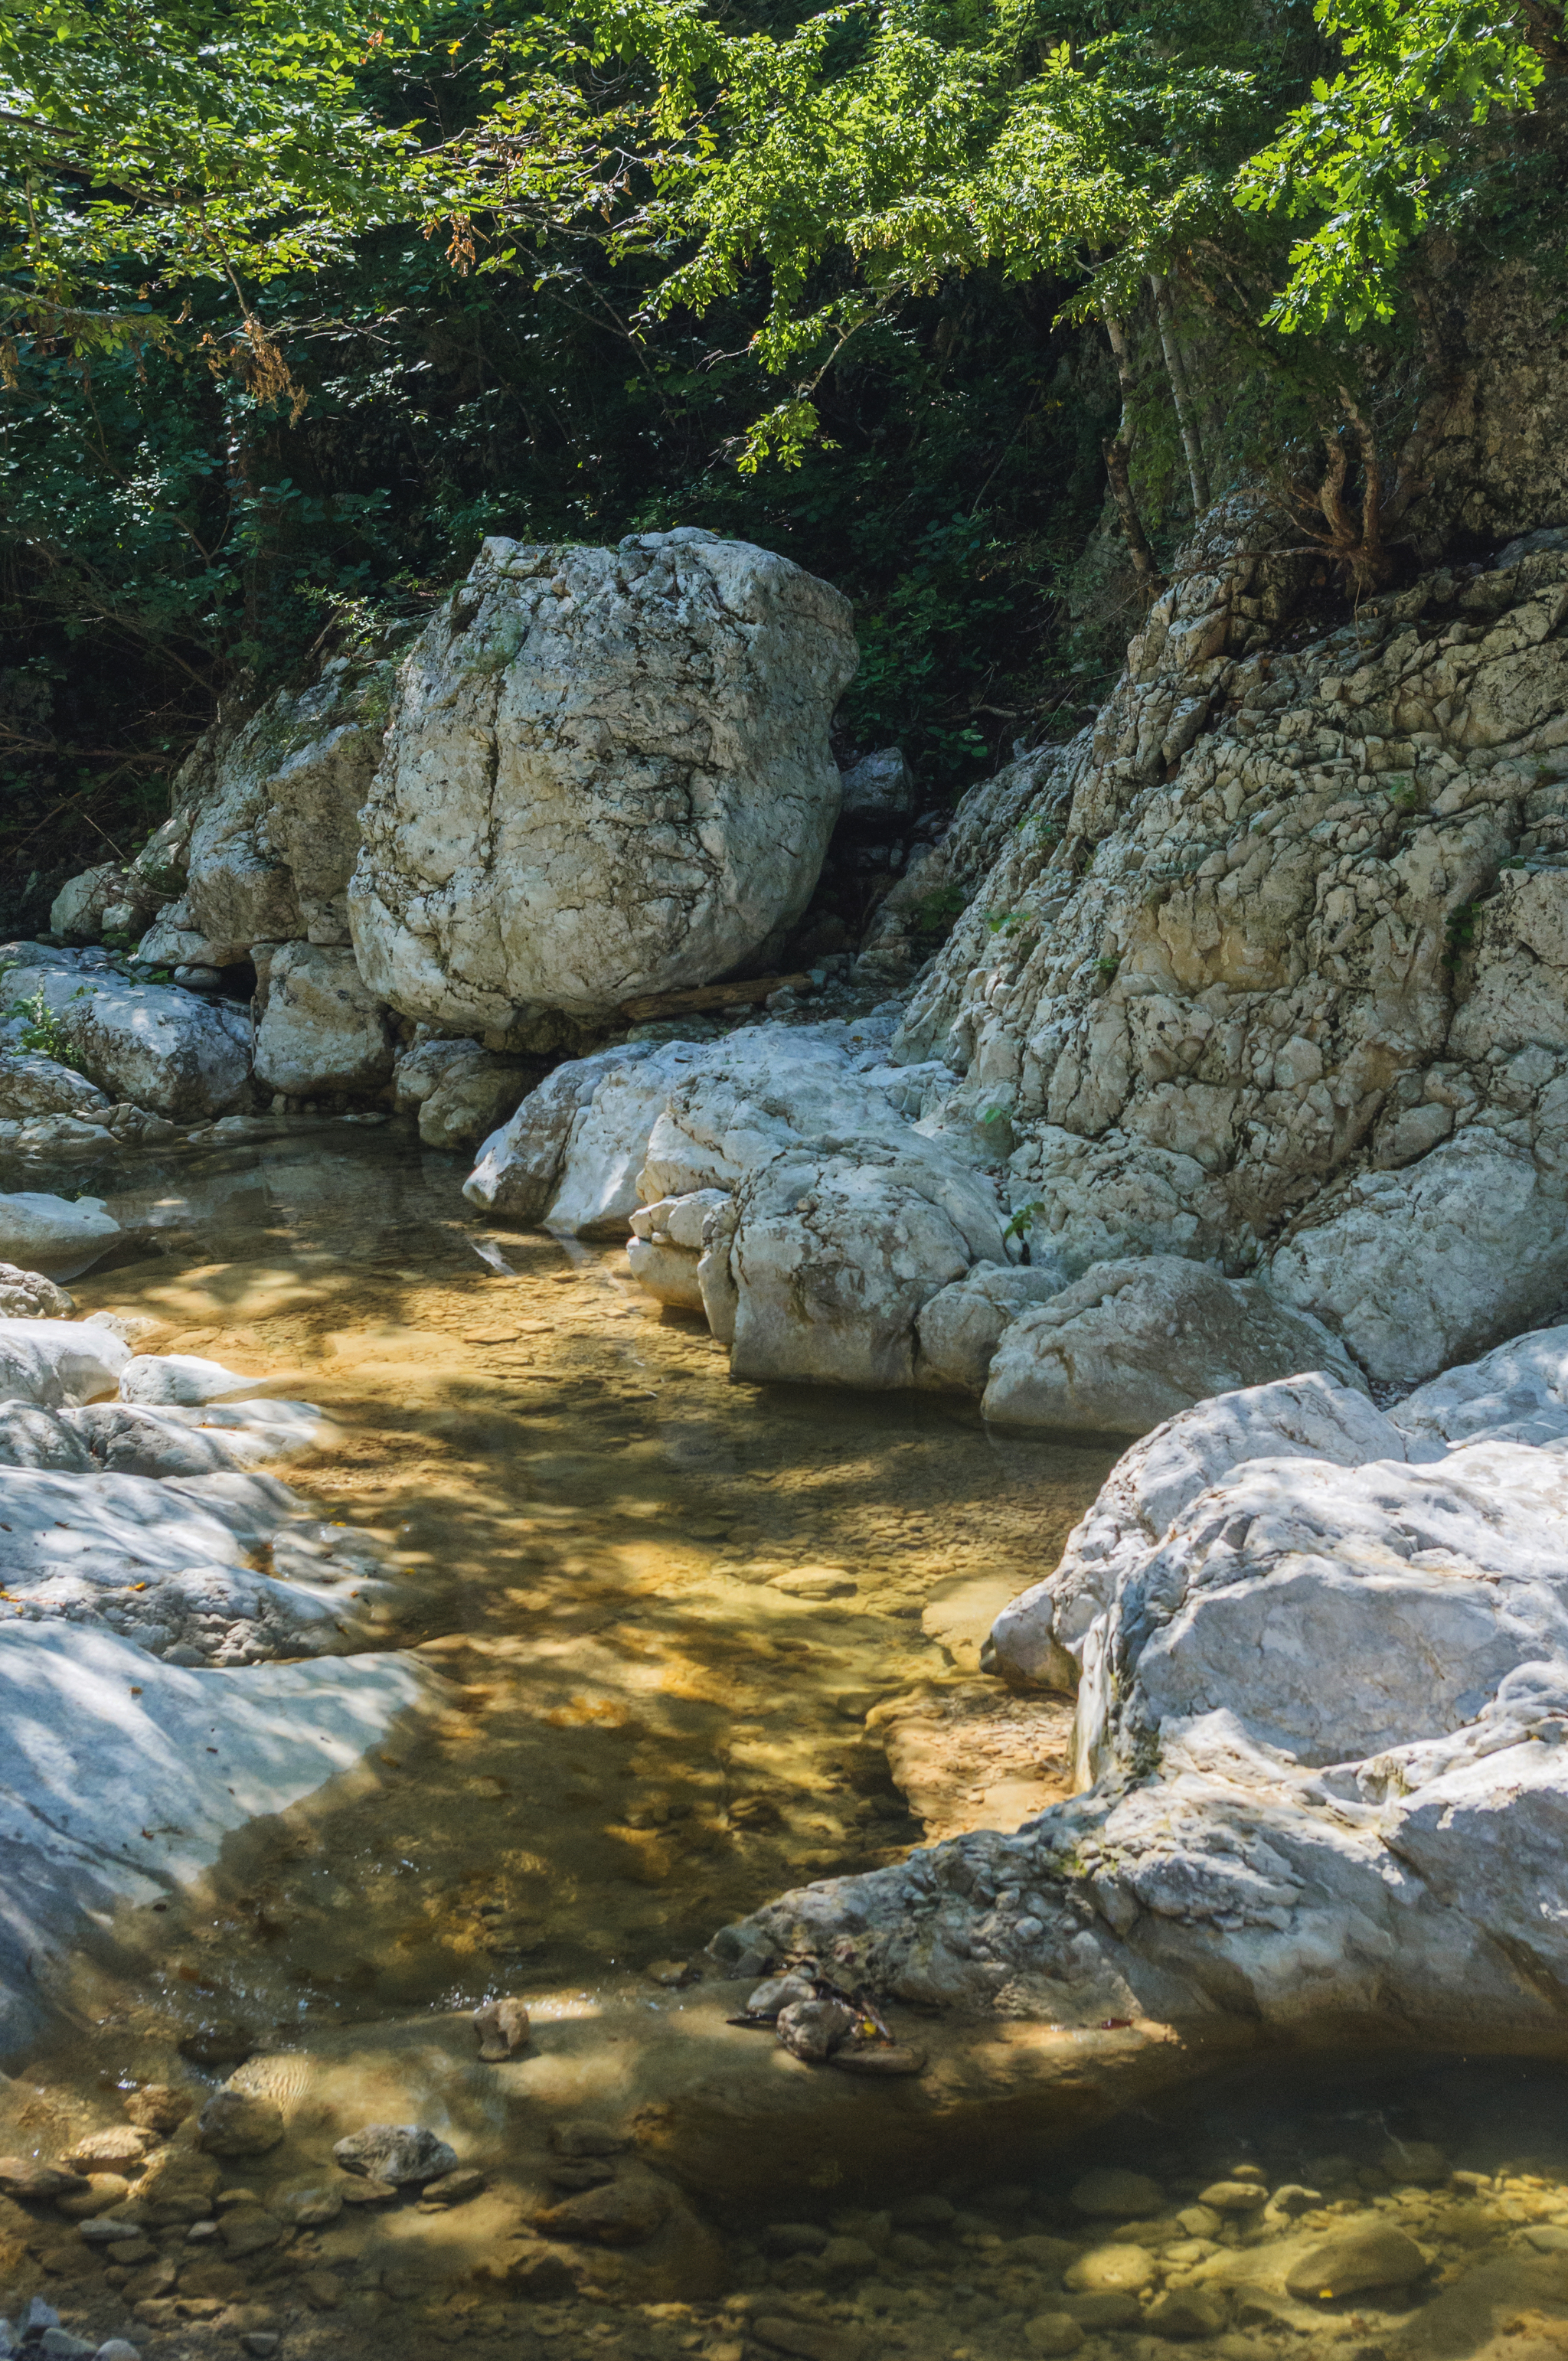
608, 773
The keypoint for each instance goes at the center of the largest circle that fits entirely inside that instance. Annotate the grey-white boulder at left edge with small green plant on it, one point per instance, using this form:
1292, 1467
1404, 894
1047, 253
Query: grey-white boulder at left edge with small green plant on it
162, 1047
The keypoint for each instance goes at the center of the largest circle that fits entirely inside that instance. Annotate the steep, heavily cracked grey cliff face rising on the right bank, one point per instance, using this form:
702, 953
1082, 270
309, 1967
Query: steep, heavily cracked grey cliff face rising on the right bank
1272, 964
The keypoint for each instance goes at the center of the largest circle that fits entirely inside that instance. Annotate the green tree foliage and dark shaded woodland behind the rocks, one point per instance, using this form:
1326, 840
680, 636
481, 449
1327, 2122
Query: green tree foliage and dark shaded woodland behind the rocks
303, 299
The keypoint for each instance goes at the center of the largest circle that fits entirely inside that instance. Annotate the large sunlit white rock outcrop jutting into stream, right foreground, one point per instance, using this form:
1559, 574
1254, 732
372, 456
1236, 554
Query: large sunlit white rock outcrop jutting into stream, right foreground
1321, 1692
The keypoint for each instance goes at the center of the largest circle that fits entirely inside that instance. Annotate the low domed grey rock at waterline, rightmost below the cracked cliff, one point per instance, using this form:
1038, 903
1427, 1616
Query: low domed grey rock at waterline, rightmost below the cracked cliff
1139, 1340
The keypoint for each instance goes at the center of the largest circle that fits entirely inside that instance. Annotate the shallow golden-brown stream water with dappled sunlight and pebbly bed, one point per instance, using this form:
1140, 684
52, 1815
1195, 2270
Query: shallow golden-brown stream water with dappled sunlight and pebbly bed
688, 1644
